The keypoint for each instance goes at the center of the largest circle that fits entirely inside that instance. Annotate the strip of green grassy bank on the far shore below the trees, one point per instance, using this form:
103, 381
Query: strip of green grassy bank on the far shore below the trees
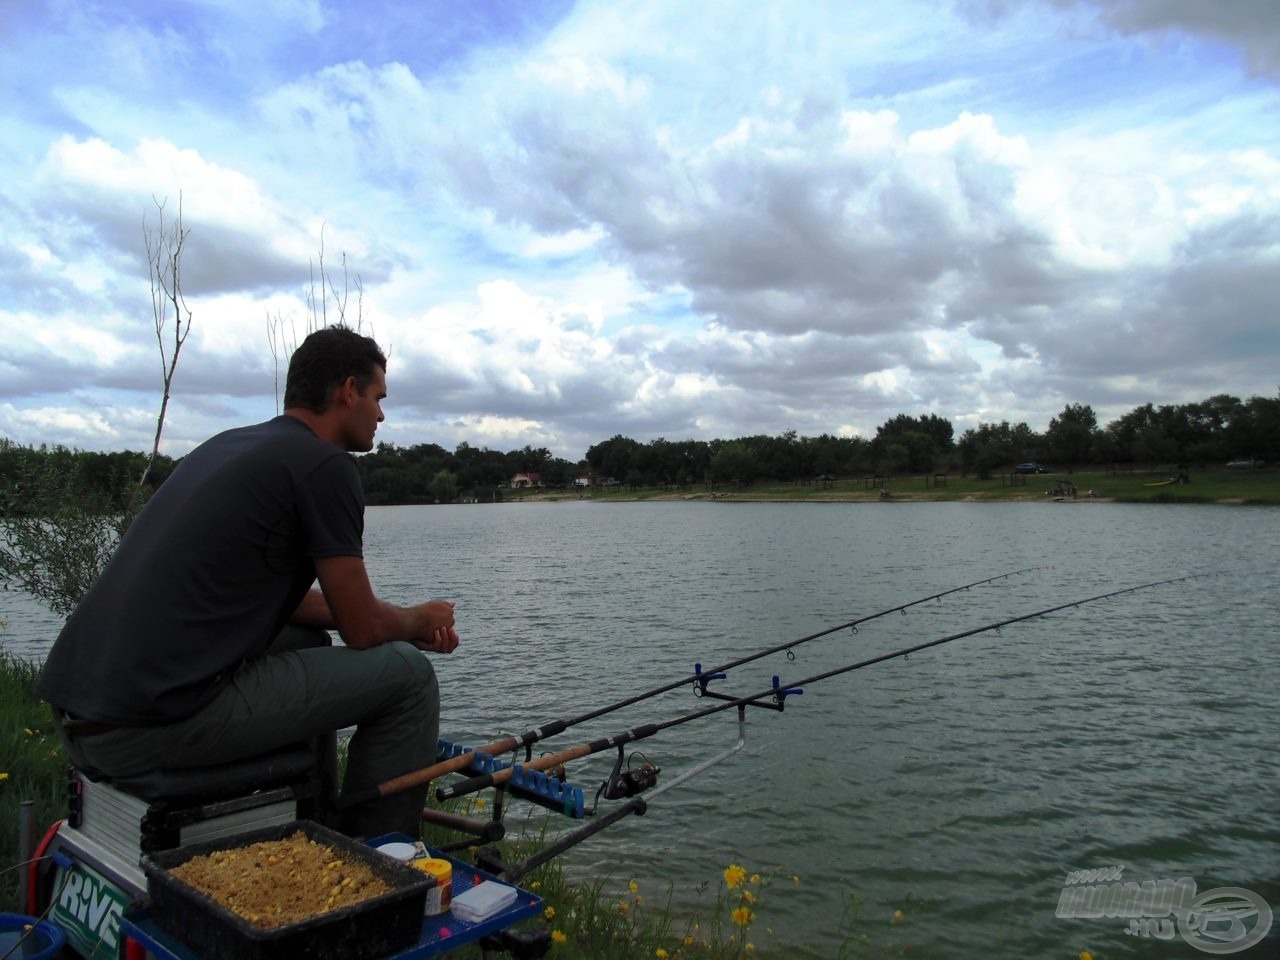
1146, 484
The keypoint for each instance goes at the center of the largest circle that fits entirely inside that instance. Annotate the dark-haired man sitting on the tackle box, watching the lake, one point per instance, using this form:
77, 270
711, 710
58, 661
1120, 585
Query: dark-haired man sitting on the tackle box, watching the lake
203, 641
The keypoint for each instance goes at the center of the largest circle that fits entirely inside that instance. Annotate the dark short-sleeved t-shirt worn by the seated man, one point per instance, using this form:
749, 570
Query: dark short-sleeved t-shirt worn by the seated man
208, 575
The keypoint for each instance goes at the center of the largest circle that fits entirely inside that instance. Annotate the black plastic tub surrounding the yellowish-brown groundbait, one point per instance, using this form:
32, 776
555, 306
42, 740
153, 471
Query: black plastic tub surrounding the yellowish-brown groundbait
380, 927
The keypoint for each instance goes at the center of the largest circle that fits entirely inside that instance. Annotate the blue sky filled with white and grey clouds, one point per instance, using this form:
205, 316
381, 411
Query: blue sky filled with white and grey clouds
572, 221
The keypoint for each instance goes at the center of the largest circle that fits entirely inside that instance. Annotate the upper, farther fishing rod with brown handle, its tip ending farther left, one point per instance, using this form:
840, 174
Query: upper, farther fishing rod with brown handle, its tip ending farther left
551, 729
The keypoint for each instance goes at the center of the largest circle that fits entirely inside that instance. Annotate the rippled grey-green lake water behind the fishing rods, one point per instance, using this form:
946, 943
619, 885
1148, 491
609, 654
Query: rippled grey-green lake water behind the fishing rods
959, 787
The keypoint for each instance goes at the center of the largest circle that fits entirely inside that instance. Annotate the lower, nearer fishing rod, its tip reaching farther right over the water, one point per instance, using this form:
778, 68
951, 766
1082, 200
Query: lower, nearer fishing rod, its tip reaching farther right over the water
648, 730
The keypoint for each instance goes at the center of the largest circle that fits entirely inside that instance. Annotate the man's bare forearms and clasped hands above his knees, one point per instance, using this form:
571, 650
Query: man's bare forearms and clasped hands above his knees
363, 620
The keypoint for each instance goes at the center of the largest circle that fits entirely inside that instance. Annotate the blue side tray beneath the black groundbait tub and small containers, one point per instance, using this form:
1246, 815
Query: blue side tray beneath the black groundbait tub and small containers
440, 934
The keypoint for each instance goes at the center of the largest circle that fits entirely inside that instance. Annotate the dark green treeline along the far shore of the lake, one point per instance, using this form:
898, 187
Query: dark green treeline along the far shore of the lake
1217, 431
